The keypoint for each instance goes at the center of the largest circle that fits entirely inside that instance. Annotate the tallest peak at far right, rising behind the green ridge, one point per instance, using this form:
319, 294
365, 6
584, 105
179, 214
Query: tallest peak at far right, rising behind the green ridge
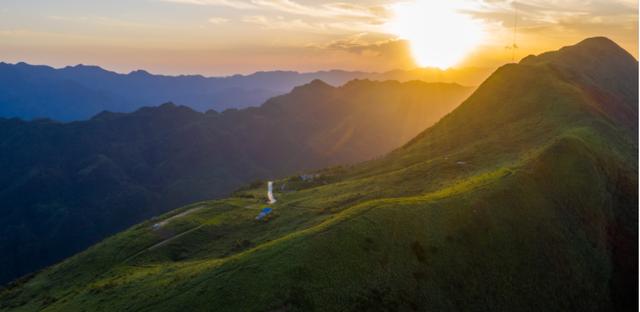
598, 67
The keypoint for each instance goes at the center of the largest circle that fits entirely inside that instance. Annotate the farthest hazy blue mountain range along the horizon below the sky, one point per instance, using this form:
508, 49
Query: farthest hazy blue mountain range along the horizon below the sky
79, 92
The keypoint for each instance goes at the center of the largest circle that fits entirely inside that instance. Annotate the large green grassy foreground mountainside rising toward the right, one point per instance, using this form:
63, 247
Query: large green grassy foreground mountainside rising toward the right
522, 199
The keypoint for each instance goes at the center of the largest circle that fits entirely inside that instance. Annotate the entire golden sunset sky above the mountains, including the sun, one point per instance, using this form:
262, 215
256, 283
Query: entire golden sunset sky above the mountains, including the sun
223, 37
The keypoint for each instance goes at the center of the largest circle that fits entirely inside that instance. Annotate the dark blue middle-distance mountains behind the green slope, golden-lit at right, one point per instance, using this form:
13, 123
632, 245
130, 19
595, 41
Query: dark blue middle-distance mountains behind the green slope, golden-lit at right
66, 185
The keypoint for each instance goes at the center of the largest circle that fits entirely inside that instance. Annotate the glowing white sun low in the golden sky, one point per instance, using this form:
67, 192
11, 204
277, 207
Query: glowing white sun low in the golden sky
439, 33
